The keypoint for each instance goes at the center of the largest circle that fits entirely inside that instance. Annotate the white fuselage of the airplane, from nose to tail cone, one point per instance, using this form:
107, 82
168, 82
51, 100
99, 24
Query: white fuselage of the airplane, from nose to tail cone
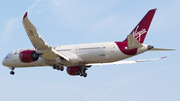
78, 54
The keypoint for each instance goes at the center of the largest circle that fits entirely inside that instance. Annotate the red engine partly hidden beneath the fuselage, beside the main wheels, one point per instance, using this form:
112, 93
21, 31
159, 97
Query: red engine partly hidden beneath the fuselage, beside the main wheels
73, 70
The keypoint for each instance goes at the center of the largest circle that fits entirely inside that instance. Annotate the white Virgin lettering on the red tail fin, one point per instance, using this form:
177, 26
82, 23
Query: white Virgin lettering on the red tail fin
137, 34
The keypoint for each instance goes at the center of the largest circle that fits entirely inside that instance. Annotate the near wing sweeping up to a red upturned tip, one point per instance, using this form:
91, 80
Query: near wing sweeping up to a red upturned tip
39, 44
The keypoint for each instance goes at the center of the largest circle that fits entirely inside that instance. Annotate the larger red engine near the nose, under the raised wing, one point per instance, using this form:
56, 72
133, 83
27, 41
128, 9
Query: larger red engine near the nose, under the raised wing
27, 56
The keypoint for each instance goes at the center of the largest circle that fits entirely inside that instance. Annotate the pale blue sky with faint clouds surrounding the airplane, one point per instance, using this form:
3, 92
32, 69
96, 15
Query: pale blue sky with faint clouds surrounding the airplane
64, 22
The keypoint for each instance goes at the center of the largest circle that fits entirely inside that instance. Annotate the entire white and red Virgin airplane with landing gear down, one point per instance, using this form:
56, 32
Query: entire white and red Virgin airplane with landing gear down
78, 58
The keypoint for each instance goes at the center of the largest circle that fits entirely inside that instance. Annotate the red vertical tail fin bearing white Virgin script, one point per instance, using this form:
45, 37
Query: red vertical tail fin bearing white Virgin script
141, 29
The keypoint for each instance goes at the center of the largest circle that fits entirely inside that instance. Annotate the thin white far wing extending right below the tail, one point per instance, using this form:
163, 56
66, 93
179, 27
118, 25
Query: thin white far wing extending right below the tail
124, 62
